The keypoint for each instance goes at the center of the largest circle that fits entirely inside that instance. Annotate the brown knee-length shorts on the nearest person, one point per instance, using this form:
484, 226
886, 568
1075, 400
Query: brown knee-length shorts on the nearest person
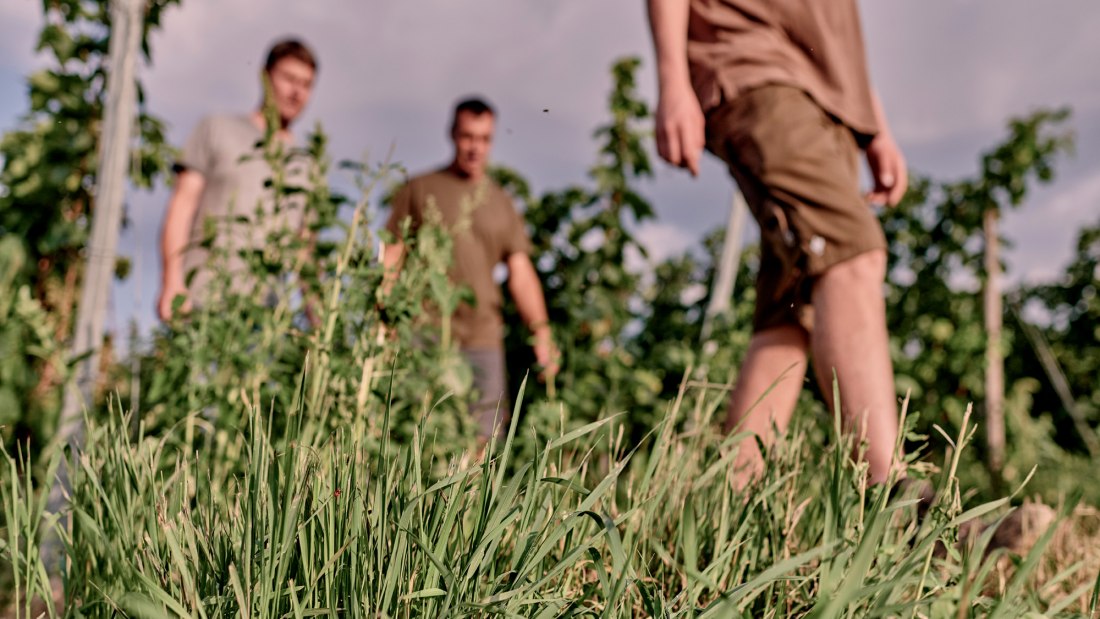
799, 170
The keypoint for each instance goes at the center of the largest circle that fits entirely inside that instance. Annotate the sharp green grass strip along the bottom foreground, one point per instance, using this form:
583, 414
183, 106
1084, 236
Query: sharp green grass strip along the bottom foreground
347, 524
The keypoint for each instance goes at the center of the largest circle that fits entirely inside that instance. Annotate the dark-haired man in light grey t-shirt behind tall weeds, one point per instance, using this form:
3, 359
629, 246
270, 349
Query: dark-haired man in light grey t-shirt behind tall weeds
221, 182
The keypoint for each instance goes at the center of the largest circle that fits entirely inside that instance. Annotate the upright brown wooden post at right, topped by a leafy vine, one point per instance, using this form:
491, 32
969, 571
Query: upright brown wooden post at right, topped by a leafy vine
995, 357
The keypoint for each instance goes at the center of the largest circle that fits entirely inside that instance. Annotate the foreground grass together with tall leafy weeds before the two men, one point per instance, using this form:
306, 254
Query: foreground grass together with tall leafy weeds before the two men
273, 471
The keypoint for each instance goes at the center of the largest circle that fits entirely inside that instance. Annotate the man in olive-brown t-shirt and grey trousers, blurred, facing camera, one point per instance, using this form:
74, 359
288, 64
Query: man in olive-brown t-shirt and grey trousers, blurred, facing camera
487, 231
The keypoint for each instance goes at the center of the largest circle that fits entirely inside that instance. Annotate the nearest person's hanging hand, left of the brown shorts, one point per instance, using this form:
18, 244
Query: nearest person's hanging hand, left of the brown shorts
681, 129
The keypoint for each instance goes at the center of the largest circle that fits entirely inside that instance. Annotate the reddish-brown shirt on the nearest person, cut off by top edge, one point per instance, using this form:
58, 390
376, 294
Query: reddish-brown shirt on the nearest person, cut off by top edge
817, 46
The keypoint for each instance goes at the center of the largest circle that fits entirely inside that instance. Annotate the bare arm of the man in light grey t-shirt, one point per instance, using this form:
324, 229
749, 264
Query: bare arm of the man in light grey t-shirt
183, 206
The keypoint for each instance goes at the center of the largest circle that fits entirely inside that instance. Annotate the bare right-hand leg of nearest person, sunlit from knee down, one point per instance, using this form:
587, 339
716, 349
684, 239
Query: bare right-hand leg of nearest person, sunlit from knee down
851, 338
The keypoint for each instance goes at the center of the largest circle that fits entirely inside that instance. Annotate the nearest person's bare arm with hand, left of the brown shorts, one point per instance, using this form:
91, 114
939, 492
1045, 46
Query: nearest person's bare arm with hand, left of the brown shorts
680, 124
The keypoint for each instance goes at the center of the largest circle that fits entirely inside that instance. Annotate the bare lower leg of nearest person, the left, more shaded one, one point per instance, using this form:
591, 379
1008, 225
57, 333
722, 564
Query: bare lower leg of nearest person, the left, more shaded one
766, 393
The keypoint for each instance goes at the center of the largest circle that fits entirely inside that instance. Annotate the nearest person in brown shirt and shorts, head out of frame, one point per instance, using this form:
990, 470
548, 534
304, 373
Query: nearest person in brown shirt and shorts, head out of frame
779, 91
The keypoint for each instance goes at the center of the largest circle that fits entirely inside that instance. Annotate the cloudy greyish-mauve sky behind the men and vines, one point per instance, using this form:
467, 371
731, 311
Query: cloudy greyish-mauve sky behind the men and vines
950, 72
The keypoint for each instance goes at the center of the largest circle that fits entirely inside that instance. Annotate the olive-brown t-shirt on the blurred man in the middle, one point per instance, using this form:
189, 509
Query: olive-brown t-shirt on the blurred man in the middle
486, 229
